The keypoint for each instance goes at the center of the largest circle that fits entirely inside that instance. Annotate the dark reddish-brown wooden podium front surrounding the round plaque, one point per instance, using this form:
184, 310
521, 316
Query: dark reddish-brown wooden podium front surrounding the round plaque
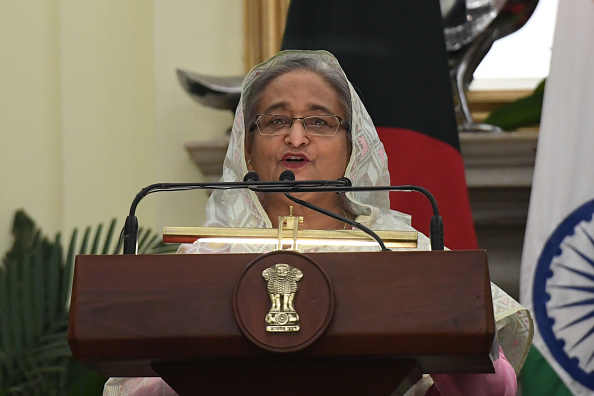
128, 312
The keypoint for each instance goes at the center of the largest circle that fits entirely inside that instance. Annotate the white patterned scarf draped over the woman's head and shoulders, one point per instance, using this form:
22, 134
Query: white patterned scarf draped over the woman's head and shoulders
367, 166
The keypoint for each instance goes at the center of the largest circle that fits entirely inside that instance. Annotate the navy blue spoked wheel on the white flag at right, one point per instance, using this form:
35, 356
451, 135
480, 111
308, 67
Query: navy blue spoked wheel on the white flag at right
563, 294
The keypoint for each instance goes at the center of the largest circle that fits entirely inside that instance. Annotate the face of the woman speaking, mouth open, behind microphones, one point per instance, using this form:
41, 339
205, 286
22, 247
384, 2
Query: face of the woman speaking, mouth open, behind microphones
299, 94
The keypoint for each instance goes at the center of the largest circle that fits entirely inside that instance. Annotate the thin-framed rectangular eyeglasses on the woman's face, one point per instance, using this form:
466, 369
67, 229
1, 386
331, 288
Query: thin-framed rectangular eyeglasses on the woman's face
319, 125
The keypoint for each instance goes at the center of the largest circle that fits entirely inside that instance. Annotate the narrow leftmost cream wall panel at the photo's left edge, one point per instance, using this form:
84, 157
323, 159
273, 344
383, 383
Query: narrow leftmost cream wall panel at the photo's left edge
30, 138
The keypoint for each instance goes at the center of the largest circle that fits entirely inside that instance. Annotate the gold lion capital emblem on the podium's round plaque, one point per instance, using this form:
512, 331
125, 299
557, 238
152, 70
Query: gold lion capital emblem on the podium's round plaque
282, 283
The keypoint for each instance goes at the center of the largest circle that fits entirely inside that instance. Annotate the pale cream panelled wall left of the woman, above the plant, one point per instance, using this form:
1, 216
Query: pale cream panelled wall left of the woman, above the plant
91, 111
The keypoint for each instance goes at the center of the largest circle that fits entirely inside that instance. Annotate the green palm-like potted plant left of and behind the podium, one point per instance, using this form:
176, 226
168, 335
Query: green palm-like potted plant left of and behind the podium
35, 283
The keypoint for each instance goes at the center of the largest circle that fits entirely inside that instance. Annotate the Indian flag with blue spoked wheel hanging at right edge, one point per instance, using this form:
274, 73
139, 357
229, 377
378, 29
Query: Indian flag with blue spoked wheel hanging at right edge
557, 280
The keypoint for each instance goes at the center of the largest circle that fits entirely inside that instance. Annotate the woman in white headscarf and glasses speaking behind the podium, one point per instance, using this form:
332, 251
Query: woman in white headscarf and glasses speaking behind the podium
299, 112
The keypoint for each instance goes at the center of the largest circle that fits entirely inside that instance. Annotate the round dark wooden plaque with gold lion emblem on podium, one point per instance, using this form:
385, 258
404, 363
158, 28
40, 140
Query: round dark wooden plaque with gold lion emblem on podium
283, 301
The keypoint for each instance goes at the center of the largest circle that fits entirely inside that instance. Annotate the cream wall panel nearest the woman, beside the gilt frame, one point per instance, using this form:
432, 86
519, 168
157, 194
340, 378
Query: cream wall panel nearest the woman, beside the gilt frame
205, 37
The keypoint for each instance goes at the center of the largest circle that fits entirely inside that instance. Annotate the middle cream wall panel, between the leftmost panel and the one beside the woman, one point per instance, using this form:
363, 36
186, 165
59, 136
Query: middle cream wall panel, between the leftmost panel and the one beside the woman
107, 107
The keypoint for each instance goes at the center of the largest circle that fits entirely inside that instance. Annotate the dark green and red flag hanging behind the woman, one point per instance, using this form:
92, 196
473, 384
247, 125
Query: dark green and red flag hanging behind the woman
394, 54
